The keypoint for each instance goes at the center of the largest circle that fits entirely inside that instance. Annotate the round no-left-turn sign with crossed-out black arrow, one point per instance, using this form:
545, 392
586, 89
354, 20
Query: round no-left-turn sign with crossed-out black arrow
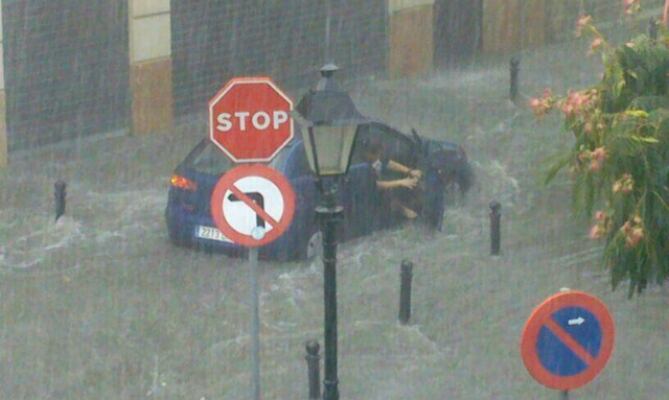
252, 196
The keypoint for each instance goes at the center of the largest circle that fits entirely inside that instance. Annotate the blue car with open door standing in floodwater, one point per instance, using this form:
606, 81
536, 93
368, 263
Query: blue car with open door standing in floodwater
444, 166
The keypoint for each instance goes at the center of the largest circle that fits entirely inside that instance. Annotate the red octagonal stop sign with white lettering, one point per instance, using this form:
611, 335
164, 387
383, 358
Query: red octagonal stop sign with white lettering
249, 119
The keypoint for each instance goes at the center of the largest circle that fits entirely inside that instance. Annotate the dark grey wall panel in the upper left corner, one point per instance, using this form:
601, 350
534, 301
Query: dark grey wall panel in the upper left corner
66, 69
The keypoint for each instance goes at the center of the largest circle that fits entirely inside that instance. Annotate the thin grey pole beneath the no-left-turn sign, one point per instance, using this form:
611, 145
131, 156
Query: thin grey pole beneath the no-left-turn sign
258, 233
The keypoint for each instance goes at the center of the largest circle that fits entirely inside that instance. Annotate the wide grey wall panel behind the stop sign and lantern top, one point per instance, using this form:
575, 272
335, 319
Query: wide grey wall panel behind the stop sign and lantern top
213, 41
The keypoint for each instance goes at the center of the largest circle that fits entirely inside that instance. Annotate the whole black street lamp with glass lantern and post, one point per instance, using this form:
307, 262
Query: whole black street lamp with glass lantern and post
332, 122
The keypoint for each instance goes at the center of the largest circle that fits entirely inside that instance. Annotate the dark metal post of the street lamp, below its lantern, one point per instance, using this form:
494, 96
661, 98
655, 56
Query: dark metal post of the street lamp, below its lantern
329, 215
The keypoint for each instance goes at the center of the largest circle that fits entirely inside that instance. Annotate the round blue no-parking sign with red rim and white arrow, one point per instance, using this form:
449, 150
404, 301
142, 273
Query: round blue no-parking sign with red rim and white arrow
567, 340
